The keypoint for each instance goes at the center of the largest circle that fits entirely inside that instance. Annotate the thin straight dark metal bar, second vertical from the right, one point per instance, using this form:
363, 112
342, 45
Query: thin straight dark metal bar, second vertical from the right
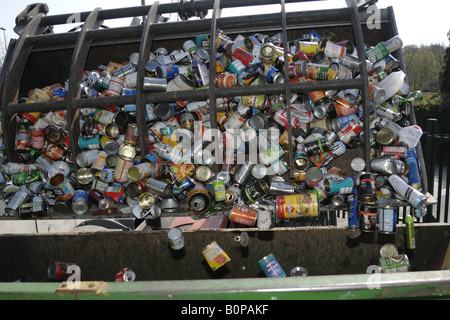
287, 89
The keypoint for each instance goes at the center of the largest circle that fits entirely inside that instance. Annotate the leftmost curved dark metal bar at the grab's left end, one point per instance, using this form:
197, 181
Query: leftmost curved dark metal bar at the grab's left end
11, 86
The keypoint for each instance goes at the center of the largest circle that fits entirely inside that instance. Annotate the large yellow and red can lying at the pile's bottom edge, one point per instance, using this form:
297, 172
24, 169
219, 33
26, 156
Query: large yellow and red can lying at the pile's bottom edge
298, 205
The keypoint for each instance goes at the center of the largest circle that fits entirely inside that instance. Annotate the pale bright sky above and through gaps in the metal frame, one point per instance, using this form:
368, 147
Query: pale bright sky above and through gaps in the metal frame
419, 22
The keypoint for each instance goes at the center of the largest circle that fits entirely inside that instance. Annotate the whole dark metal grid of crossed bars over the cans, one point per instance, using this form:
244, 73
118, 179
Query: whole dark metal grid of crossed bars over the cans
91, 35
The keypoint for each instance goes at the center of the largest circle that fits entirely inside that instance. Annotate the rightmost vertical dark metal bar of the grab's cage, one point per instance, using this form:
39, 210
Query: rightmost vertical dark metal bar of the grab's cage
359, 38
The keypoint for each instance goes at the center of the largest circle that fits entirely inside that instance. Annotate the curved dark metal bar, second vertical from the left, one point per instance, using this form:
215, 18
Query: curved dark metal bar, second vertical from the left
79, 59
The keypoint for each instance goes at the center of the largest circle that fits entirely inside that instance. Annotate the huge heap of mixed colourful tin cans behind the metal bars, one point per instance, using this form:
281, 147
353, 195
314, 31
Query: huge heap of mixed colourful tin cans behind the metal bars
241, 167
